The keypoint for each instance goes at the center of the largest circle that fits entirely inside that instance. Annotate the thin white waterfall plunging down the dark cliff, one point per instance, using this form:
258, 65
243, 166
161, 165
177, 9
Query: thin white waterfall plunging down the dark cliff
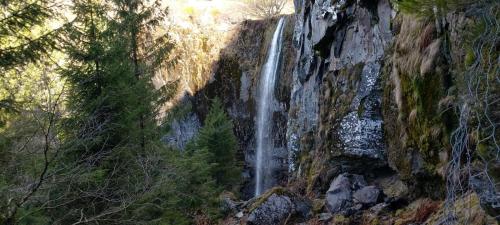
264, 112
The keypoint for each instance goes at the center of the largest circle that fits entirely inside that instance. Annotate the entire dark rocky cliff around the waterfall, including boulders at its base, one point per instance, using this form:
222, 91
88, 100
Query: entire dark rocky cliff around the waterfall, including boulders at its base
363, 121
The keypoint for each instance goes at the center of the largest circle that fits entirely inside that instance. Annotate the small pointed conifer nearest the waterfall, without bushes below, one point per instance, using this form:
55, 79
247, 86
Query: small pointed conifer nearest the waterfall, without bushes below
218, 138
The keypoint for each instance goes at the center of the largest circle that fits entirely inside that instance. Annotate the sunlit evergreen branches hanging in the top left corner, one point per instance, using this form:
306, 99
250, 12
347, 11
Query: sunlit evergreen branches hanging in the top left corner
23, 35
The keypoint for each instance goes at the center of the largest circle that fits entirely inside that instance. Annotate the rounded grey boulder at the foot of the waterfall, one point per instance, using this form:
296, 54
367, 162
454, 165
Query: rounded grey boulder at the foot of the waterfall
274, 210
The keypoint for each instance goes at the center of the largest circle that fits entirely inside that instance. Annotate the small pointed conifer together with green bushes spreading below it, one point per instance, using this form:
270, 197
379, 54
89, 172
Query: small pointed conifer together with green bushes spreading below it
193, 179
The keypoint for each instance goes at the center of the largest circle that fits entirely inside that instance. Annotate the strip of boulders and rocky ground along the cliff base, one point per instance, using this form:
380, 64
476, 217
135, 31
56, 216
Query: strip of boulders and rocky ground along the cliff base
350, 199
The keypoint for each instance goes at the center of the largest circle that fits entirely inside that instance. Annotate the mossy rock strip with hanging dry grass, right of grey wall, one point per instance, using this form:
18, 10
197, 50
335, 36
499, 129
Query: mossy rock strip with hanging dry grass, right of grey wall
418, 129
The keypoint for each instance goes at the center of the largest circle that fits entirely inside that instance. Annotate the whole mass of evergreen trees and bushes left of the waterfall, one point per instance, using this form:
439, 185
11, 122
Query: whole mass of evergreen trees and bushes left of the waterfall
104, 162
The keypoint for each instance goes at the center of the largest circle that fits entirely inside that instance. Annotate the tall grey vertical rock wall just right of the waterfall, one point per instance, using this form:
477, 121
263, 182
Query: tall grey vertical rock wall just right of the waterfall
335, 121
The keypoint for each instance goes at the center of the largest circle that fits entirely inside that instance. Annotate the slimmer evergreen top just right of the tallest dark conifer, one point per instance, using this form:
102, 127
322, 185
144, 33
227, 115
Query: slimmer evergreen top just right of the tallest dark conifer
136, 24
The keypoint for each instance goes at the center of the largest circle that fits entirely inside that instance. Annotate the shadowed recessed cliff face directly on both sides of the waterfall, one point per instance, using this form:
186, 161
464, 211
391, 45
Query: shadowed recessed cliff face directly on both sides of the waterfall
235, 79
